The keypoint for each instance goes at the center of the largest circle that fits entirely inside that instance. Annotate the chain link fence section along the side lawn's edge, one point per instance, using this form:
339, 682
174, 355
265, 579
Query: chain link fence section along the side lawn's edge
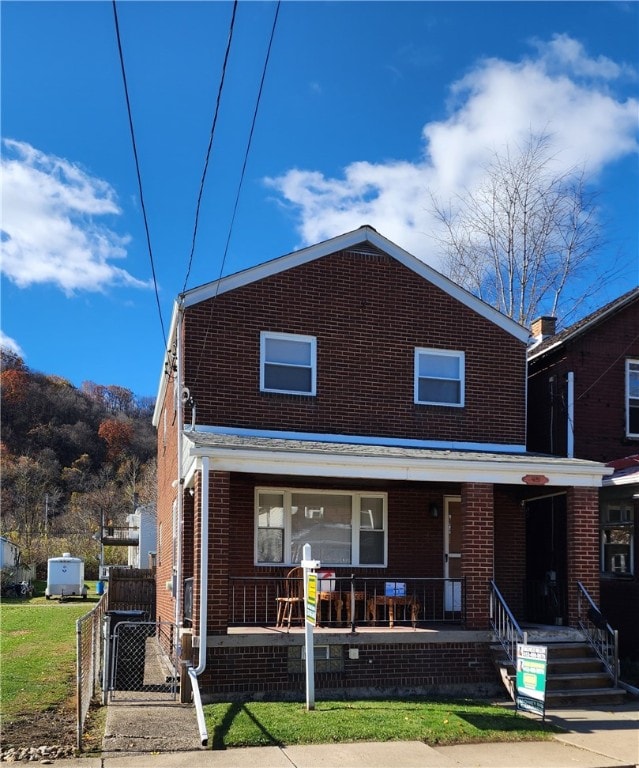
88, 662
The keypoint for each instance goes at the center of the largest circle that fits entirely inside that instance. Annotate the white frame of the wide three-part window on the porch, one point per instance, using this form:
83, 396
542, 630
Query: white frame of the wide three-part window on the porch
356, 508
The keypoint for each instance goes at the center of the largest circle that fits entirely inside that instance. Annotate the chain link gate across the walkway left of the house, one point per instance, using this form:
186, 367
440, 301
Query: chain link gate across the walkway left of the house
140, 658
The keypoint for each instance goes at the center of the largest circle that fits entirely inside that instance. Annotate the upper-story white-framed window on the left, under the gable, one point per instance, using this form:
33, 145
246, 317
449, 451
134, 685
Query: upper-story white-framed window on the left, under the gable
288, 363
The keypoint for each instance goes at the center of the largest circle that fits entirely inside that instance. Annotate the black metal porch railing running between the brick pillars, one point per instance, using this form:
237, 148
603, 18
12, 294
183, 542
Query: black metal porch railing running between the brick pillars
352, 601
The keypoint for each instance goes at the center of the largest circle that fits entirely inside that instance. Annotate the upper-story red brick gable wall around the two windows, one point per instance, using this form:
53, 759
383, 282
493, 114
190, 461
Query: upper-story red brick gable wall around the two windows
368, 314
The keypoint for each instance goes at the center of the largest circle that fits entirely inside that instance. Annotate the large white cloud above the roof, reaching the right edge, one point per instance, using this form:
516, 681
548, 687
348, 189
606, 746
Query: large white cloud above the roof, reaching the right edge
560, 92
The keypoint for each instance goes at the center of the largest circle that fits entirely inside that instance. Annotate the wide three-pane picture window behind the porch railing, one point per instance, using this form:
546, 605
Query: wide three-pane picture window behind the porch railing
343, 528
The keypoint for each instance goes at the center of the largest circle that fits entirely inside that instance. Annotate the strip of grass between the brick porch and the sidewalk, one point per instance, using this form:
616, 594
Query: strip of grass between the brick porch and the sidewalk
433, 722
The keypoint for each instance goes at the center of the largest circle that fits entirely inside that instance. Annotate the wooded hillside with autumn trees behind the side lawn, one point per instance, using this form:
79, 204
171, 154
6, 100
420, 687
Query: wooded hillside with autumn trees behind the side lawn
70, 458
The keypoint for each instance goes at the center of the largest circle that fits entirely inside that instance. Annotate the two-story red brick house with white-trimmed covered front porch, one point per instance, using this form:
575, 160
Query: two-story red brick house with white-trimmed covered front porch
349, 396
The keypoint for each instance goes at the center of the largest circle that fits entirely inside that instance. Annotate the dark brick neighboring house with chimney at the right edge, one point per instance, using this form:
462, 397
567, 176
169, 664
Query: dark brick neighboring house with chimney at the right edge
583, 401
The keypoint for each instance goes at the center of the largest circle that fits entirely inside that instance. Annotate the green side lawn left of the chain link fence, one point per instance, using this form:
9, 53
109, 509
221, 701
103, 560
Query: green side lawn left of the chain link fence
38, 653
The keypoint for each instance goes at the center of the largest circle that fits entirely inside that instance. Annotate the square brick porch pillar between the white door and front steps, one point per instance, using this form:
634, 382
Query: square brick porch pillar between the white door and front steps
477, 550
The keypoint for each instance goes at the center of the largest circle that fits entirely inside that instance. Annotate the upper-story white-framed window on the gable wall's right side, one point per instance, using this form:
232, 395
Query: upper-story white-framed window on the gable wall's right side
439, 377
